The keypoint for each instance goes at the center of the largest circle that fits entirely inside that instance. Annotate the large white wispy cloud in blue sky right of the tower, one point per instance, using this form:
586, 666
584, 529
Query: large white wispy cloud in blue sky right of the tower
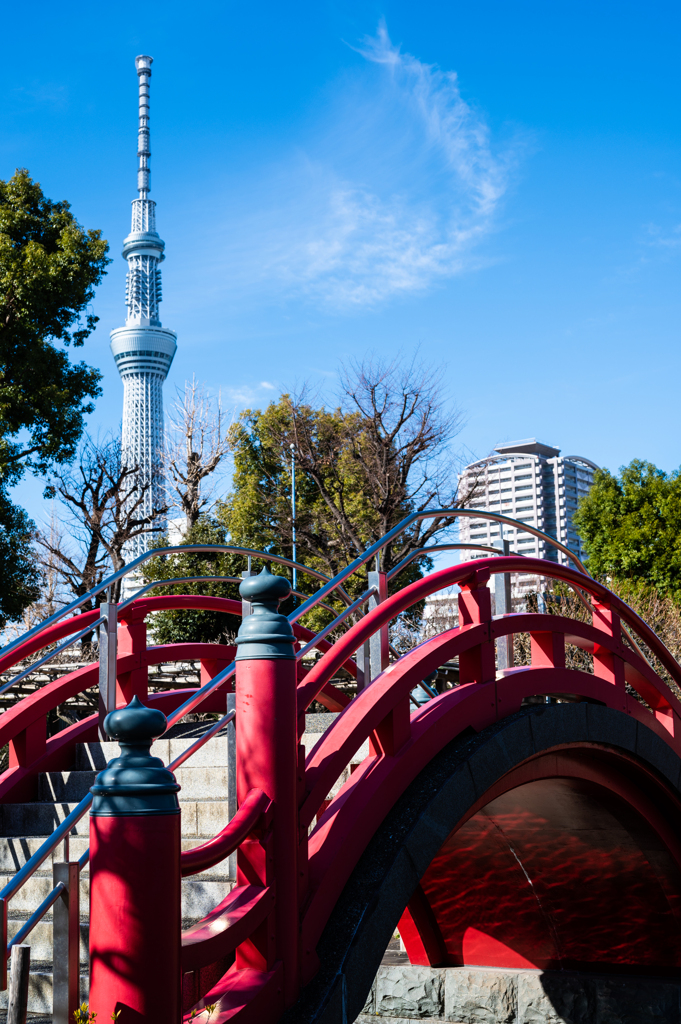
393, 193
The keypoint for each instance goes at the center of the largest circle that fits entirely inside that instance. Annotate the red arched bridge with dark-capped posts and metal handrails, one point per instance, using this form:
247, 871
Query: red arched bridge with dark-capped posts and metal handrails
527, 818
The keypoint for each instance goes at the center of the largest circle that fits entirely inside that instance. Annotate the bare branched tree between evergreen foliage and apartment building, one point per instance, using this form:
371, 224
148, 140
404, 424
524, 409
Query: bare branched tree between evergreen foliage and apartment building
397, 426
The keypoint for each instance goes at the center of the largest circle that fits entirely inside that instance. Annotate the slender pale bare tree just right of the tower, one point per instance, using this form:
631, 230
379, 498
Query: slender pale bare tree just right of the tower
196, 447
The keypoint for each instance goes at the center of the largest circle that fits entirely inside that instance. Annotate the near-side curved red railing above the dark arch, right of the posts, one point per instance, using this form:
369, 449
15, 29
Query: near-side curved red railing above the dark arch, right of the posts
403, 744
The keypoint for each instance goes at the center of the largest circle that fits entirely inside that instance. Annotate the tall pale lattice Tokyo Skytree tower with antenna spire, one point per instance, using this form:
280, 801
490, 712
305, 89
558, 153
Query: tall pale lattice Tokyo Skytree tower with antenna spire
144, 350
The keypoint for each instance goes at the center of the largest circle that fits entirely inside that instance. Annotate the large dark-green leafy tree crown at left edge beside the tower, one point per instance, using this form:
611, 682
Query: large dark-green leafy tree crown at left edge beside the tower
50, 267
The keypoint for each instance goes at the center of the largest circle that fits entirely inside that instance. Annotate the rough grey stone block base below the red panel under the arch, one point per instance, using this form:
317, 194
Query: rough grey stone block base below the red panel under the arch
488, 996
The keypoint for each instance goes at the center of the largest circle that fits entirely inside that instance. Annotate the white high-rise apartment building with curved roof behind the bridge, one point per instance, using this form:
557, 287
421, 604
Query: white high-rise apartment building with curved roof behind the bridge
534, 484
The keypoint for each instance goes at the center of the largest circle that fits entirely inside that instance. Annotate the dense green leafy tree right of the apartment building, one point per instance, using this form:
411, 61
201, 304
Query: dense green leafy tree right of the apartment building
631, 528
